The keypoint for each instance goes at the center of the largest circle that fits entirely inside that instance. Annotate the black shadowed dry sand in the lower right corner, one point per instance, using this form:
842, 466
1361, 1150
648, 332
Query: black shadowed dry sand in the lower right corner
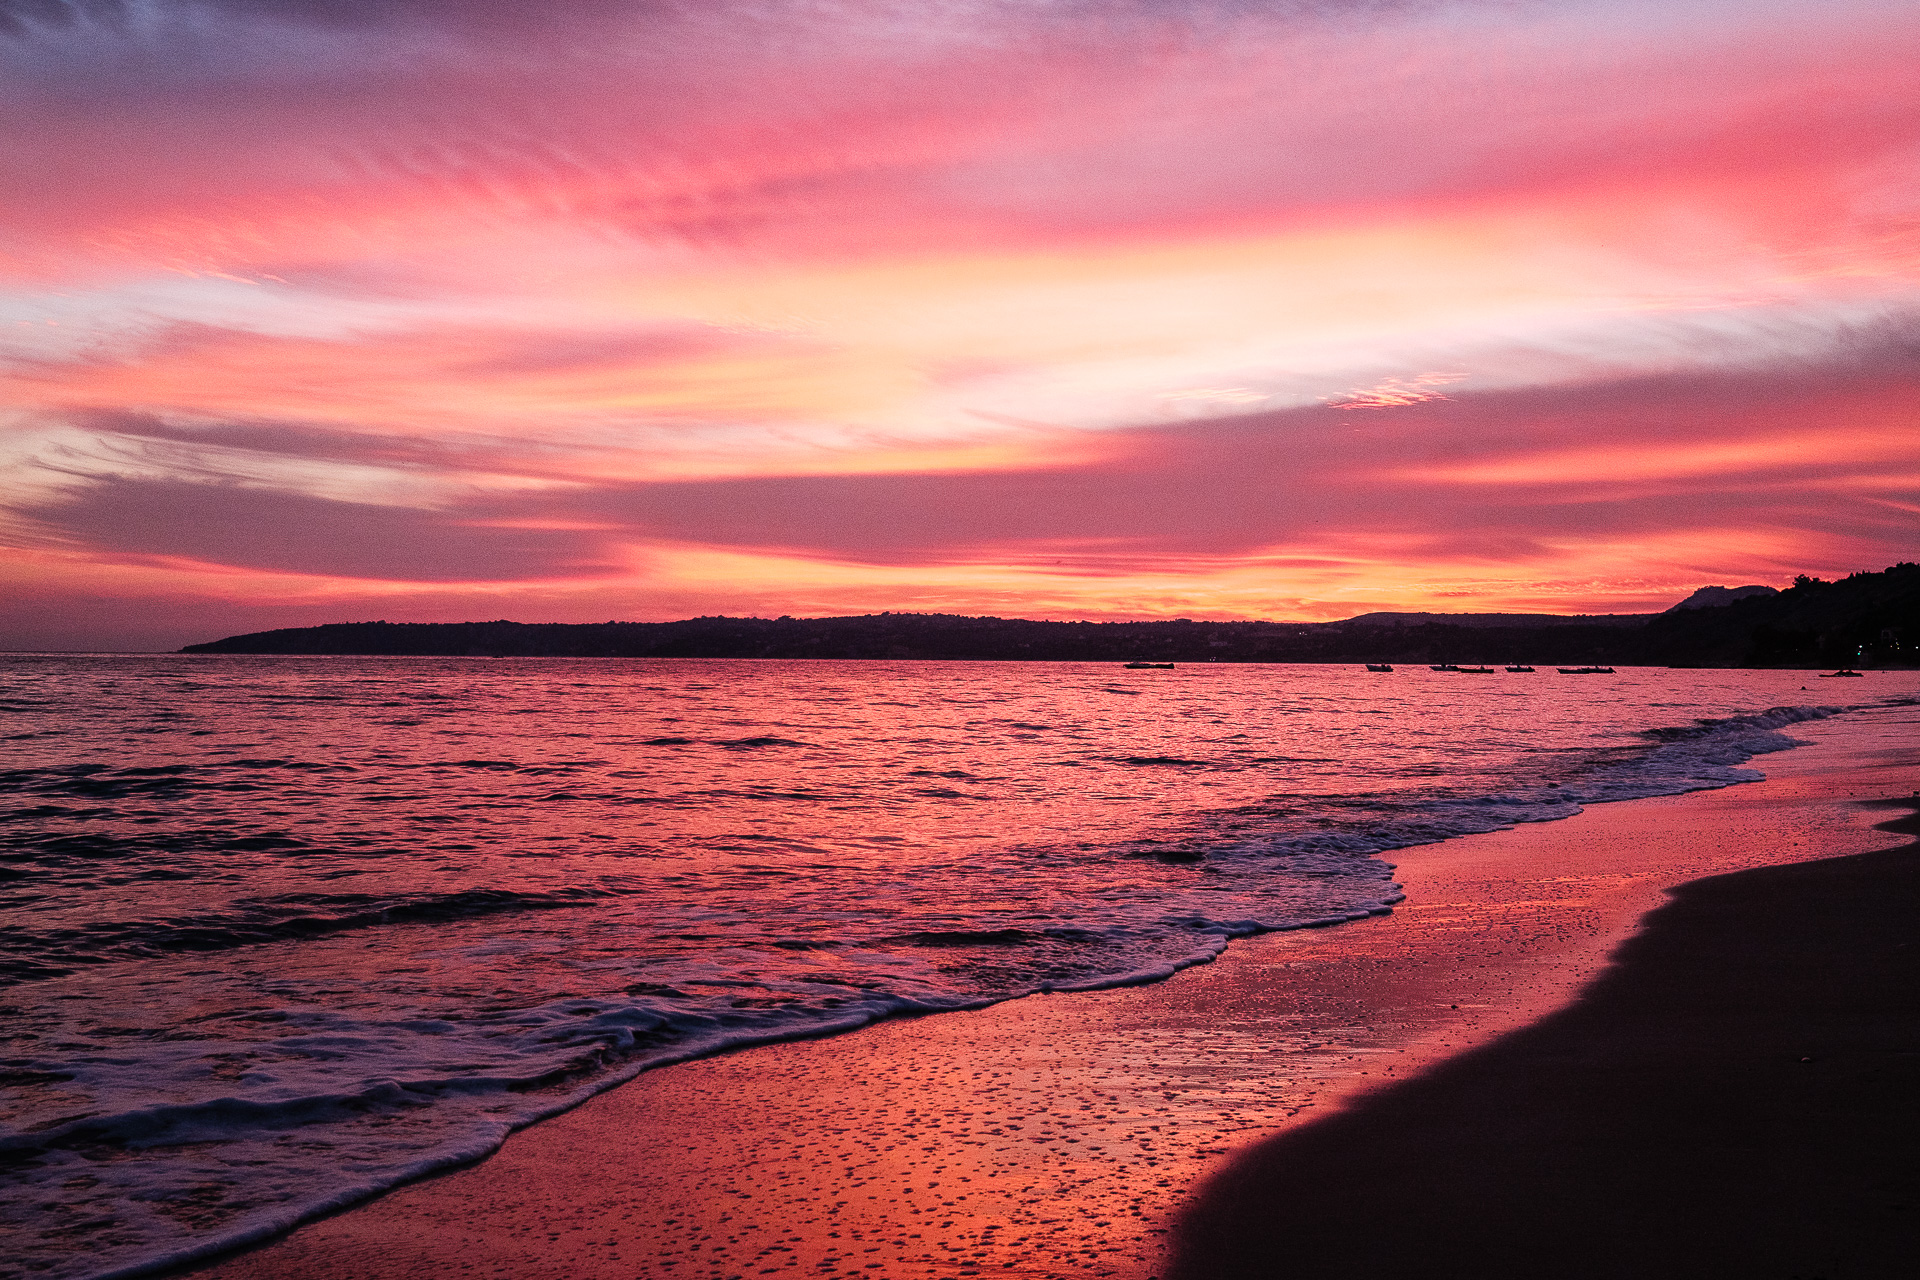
1735, 1097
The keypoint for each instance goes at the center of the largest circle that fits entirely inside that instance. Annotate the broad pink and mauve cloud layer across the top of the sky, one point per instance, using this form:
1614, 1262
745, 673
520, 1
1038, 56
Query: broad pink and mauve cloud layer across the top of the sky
861, 131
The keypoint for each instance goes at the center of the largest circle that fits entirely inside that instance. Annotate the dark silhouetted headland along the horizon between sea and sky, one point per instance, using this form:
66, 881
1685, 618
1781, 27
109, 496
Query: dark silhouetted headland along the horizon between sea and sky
1860, 621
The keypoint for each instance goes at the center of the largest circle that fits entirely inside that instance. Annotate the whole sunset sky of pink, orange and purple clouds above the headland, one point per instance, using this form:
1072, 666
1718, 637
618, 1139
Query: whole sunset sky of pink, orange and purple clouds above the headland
444, 310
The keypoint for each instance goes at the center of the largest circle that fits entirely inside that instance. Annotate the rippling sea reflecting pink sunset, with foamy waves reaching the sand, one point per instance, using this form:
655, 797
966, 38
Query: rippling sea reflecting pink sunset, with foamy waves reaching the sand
287, 932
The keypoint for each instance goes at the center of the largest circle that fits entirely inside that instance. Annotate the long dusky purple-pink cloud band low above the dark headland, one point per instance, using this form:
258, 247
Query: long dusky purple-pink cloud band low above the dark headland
1502, 479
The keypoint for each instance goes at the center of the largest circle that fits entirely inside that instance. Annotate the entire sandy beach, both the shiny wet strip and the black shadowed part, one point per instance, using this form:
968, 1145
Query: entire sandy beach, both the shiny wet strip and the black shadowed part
1341, 1072
